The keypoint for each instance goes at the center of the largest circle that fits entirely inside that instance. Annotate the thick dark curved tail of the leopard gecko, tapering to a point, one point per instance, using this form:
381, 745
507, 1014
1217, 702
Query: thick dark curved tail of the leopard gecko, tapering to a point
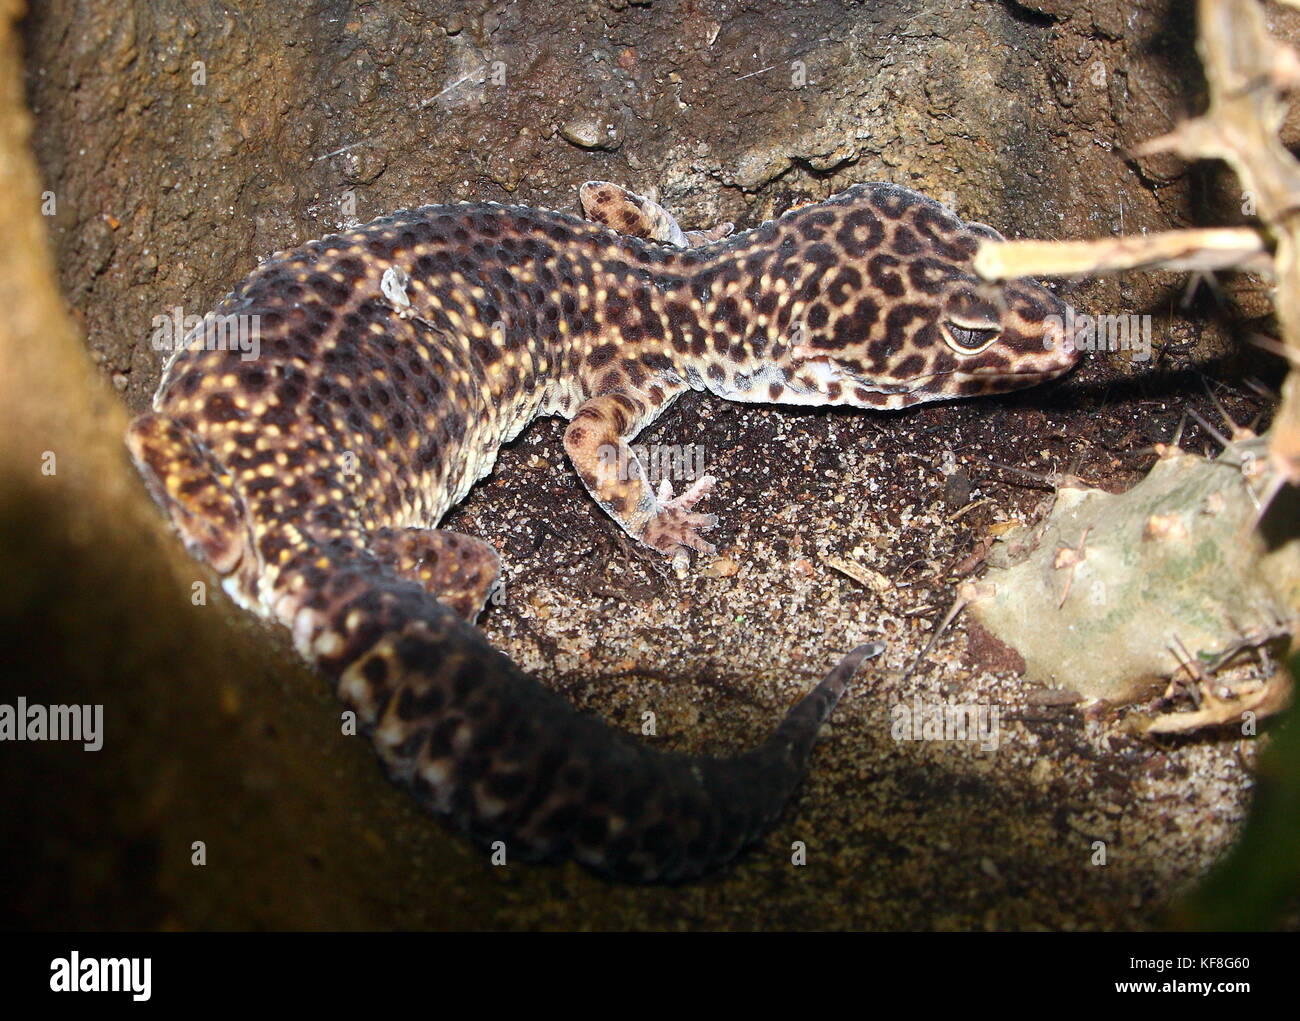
510, 763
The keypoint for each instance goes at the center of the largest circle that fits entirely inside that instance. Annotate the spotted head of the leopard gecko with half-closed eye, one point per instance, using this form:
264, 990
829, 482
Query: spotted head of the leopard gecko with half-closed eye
904, 319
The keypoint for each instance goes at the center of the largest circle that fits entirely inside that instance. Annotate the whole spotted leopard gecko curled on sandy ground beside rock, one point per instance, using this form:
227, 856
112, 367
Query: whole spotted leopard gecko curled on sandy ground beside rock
398, 357
